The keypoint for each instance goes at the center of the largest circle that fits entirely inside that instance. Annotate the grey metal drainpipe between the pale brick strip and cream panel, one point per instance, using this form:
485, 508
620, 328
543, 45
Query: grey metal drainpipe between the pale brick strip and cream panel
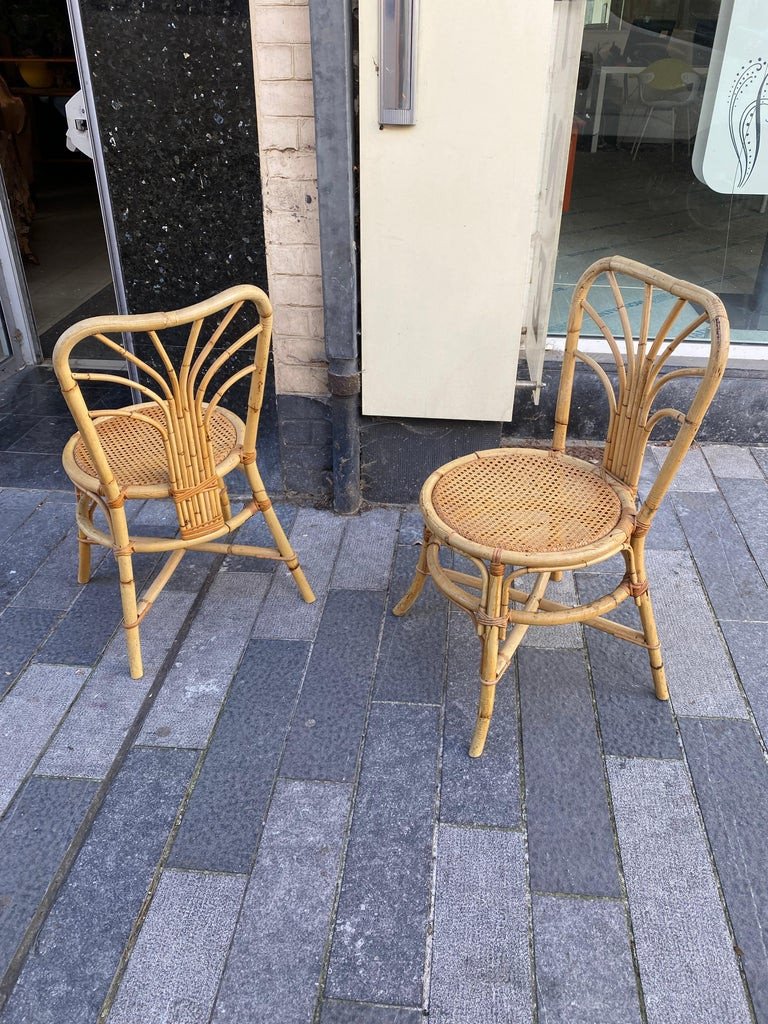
331, 27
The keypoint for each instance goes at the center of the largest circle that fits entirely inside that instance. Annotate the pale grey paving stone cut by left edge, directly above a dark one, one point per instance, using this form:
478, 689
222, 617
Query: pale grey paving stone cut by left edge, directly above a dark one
29, 716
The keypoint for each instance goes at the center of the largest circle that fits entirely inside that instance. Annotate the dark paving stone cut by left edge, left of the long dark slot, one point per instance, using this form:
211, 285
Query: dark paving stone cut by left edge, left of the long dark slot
34, 838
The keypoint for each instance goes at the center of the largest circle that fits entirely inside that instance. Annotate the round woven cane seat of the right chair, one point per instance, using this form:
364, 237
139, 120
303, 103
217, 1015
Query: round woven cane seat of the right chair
526, 500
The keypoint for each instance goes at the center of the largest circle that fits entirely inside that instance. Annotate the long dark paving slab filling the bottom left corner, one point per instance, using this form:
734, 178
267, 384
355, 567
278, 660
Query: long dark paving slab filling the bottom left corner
69, 970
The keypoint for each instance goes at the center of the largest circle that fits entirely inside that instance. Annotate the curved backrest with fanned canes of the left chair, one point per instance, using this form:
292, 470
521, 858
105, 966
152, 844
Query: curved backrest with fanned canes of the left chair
219, 329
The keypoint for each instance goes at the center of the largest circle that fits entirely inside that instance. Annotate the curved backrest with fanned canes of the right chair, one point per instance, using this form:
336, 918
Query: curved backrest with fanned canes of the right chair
641, 359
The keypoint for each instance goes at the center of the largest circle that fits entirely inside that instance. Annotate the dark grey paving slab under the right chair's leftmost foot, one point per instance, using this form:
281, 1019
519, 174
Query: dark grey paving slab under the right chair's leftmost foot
411, 665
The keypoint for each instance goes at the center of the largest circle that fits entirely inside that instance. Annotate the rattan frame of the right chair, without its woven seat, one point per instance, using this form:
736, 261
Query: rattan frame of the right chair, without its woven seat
501, 611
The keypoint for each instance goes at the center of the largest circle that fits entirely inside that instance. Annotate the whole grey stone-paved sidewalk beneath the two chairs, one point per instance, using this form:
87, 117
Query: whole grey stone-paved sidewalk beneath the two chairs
284, 827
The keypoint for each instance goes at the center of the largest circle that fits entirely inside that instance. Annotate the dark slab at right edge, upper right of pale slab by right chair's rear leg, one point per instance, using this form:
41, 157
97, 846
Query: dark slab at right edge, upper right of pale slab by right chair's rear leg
734, 583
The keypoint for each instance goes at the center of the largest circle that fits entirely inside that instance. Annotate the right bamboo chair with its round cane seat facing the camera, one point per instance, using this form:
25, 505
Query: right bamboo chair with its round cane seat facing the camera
515, 513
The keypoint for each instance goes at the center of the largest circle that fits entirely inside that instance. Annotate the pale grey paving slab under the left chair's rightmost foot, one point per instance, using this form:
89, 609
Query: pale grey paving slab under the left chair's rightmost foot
316, 537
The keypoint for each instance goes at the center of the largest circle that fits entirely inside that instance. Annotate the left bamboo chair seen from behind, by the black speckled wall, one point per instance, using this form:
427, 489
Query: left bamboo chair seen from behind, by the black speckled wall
181, 444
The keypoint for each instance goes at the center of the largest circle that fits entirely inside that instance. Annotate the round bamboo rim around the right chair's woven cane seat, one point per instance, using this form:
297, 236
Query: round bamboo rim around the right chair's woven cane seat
574, 558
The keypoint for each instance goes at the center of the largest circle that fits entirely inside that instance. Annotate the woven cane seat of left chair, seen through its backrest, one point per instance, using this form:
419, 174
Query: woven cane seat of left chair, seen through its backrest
136, 451
